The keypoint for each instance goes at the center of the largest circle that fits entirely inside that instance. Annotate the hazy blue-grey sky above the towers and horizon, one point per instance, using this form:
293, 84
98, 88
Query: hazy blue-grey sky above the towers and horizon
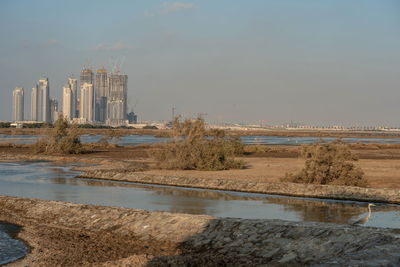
318, 62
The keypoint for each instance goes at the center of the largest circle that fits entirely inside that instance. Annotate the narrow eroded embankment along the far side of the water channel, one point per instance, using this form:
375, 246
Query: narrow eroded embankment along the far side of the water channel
290, 189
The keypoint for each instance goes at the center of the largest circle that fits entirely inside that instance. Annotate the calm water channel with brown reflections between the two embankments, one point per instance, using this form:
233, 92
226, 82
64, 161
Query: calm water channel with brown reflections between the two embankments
47, 181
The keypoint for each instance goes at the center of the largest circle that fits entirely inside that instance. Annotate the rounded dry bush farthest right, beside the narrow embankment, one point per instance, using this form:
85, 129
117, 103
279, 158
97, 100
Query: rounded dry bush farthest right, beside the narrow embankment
329, 163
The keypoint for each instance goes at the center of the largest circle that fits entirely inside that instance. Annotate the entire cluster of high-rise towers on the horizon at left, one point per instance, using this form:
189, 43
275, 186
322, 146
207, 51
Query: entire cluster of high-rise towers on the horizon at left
101, 98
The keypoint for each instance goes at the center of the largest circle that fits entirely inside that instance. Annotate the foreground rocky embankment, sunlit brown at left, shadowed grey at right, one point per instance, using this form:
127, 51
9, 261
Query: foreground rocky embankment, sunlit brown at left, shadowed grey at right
76, 235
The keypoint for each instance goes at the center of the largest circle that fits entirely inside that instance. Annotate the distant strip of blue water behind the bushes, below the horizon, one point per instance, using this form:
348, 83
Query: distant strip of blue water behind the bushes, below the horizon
140, 139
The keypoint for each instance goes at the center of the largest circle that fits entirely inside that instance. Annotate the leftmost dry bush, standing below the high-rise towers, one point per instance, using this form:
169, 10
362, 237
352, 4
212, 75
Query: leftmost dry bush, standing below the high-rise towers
64, 138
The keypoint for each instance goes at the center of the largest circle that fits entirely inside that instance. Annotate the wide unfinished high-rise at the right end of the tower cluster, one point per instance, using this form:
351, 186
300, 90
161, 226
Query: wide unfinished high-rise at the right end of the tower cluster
117, 99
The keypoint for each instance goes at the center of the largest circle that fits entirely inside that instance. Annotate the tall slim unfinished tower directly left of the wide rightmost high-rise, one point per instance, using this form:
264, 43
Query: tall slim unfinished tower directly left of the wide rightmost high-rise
101, 88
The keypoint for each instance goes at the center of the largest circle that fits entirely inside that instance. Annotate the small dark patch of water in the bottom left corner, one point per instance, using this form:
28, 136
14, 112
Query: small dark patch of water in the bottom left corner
10, 249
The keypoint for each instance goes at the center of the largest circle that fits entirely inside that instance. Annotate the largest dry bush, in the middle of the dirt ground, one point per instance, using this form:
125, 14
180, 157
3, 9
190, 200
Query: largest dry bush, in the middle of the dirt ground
190, 149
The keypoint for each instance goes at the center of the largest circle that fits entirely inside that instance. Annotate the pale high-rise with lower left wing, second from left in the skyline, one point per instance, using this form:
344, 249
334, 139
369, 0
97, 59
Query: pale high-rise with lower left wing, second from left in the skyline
42, 101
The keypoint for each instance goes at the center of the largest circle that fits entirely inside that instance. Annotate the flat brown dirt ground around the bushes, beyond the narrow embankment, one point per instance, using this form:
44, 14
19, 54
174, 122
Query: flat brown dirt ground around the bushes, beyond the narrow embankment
380, 163
